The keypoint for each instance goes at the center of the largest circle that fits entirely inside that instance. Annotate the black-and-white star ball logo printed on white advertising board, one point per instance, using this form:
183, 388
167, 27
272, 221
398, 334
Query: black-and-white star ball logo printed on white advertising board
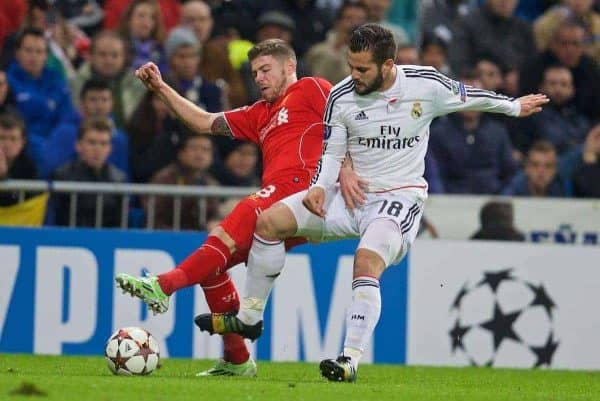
502, 320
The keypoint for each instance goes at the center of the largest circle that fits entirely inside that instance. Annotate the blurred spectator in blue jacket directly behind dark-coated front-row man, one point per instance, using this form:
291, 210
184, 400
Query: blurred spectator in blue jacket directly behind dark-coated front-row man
96, 101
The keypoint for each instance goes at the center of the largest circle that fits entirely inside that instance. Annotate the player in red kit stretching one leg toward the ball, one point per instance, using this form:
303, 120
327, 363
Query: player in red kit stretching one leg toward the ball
287, 125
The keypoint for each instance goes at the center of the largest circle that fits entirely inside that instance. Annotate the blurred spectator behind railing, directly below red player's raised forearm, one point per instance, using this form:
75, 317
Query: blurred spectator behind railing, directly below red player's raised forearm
194, 158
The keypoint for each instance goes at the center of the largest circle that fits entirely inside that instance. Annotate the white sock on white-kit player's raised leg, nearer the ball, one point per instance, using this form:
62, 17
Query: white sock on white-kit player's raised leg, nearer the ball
265, 262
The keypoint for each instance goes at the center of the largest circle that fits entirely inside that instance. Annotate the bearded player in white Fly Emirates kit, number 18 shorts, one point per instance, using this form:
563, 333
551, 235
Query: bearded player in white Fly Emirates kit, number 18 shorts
379, 118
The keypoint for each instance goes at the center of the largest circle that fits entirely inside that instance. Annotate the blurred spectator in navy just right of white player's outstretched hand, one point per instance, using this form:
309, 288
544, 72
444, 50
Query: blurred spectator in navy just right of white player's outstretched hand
559, 122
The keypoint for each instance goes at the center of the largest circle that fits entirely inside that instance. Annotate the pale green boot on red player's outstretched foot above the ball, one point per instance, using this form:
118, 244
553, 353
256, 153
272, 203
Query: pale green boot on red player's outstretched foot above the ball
145, 288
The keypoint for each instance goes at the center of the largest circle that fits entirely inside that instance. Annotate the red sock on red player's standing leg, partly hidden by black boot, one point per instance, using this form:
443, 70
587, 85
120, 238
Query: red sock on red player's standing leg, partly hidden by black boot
221, 296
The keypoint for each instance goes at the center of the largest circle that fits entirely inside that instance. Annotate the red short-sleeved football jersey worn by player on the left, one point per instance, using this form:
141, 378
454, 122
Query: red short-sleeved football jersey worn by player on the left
289, 131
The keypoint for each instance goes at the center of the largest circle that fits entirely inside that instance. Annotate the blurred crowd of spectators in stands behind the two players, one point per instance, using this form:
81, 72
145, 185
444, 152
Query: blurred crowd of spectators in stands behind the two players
72, 109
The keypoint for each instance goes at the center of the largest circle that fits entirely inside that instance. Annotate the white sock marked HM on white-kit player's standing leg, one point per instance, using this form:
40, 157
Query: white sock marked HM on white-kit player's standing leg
362, 316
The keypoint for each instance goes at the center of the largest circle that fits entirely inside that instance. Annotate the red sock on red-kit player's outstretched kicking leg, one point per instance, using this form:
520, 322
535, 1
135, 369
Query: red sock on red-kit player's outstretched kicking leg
210, 259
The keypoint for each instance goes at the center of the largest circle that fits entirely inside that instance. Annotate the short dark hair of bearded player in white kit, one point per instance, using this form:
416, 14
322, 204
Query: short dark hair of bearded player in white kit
375, 39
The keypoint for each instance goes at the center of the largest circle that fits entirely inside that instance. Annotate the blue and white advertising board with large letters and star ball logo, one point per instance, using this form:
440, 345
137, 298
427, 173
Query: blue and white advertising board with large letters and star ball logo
448, 303
